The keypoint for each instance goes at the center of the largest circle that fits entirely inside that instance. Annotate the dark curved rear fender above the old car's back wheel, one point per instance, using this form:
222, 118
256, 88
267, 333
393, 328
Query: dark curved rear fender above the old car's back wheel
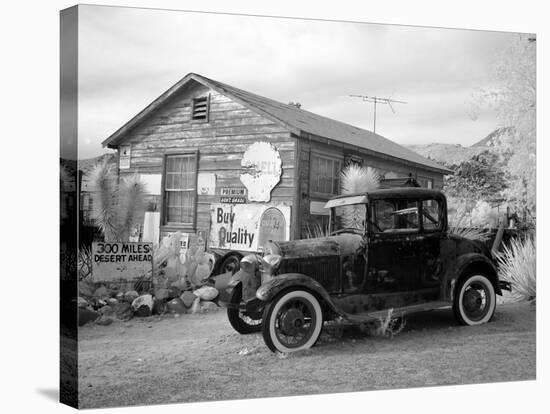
460, 265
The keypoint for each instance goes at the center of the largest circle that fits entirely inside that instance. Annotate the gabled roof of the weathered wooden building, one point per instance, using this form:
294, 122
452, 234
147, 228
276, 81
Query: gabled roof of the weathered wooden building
298, 121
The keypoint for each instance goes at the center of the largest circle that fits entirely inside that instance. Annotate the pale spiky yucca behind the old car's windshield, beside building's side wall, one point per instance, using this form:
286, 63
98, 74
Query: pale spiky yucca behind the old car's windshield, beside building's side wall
357, 179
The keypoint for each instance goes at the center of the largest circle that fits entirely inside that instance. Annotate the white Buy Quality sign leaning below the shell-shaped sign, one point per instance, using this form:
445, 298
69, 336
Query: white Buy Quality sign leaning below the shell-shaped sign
247, 227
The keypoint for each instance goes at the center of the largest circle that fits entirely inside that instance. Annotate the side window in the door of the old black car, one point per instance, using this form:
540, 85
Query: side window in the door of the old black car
395, 216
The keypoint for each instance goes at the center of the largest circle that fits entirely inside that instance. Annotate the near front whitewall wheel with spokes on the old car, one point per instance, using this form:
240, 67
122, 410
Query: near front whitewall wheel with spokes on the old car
292, 322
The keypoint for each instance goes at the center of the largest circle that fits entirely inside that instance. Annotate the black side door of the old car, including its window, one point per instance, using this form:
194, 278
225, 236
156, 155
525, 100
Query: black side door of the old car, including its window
394, 242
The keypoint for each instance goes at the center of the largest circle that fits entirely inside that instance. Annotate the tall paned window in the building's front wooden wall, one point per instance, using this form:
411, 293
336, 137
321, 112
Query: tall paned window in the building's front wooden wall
180, 189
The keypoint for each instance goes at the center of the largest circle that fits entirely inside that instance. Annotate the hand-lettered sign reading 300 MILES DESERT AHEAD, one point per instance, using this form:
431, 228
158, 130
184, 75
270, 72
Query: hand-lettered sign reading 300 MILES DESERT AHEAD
121, 260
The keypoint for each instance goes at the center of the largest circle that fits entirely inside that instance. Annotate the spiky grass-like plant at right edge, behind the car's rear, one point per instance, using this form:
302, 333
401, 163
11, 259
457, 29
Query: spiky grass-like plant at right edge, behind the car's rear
517, 265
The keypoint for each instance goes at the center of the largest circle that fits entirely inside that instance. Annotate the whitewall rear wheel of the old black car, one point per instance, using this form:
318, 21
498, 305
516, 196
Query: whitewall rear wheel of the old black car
475, 300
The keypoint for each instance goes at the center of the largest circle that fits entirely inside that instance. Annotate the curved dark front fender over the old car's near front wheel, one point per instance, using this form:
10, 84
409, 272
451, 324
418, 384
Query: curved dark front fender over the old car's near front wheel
270, 289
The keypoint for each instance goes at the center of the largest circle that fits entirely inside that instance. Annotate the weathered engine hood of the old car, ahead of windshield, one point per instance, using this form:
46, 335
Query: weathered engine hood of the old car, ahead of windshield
342, 244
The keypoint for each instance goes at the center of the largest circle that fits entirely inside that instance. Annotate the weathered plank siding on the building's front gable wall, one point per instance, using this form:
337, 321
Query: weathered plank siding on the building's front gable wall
220, 143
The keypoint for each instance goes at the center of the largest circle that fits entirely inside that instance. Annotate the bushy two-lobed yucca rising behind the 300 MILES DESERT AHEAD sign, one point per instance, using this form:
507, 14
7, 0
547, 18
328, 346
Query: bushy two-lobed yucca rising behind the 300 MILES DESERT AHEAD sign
116, 207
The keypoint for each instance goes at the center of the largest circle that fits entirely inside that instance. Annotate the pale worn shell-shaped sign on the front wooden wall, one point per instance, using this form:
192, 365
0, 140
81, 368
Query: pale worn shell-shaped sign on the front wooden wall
261, 170
